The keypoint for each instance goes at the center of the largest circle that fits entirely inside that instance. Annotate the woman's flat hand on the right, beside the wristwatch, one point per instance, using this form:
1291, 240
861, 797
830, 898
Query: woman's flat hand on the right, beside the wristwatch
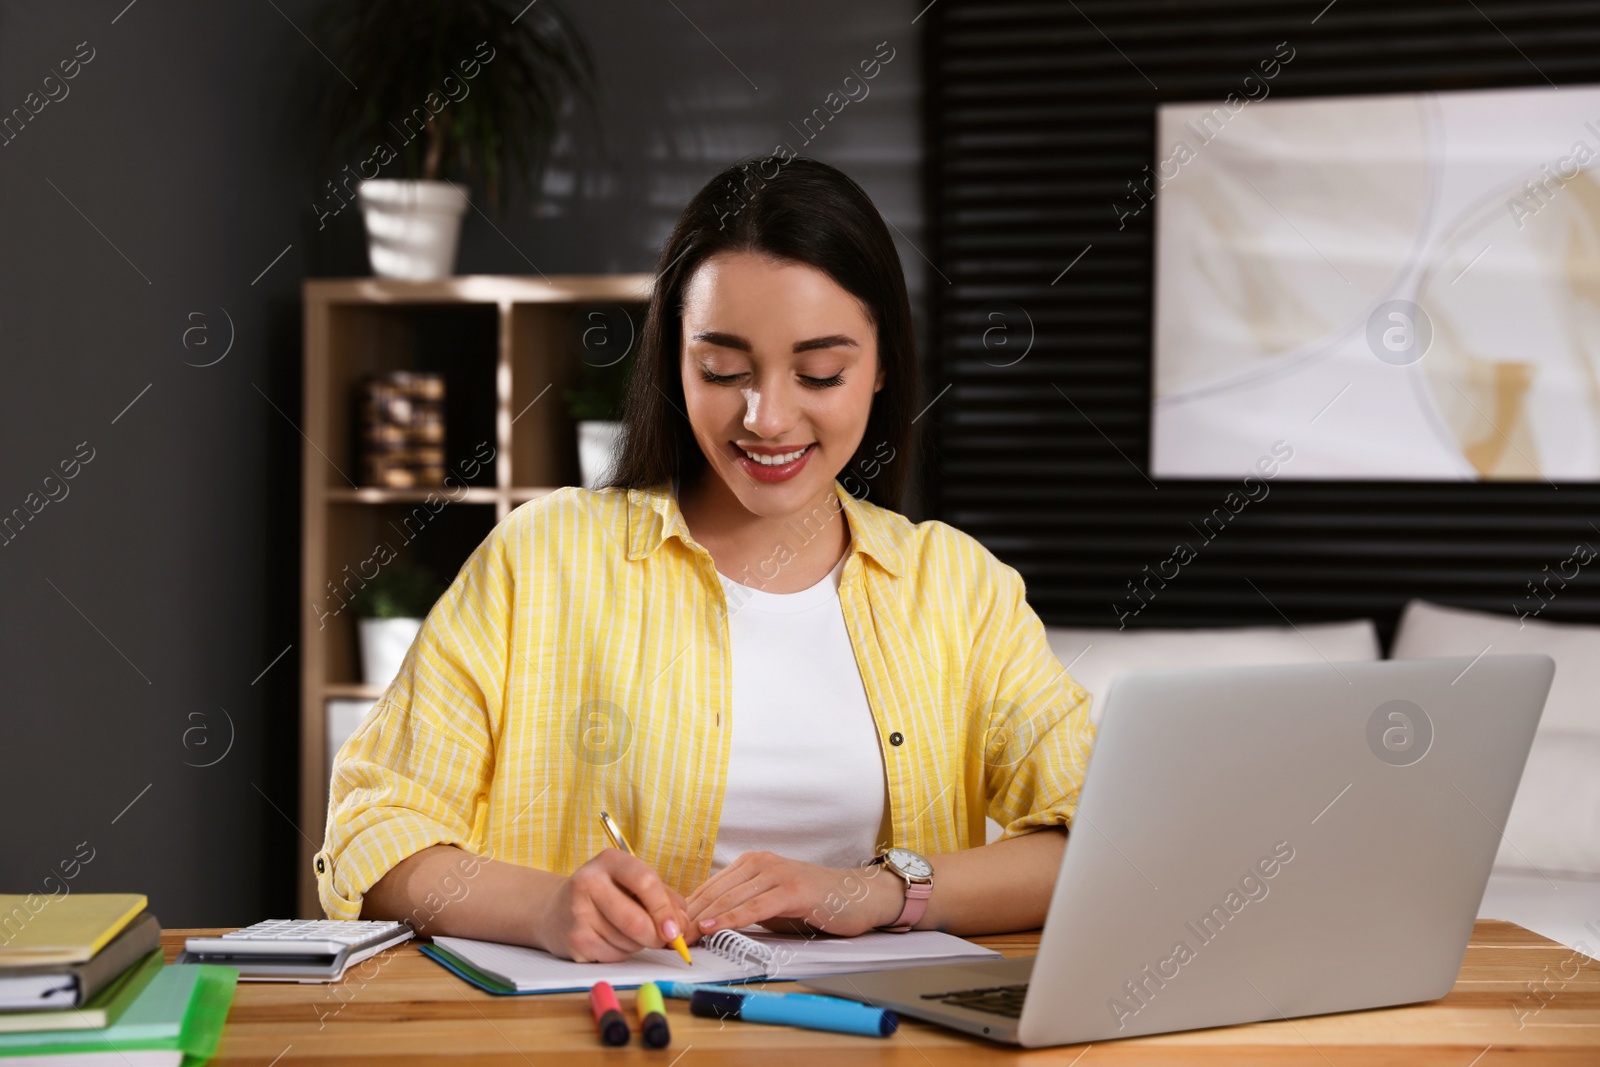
788, 895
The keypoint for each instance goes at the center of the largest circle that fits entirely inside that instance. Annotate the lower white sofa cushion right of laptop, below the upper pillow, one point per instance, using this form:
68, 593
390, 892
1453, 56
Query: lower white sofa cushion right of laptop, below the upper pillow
1554, 825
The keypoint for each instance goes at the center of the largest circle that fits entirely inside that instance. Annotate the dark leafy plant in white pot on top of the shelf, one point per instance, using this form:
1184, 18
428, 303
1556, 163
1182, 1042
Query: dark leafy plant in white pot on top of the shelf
431, 95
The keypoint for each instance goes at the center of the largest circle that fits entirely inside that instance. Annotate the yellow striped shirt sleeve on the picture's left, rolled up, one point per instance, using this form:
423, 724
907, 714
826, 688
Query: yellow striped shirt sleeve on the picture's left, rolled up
418, 770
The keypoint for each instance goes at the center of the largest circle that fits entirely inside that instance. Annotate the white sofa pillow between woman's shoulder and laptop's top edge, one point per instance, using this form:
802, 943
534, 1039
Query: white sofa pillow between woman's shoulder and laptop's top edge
1097, 657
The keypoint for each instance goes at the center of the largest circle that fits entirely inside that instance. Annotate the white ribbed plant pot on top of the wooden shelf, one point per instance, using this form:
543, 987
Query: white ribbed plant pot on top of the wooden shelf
412, 226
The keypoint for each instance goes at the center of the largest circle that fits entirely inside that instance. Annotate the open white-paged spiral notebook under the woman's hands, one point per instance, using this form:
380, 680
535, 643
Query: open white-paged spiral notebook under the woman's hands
729, 956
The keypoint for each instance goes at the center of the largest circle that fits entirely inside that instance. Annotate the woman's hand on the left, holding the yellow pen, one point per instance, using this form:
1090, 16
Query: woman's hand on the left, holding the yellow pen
609, 909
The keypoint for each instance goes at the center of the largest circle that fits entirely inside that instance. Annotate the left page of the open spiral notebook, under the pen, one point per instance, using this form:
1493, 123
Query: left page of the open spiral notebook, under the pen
537, 972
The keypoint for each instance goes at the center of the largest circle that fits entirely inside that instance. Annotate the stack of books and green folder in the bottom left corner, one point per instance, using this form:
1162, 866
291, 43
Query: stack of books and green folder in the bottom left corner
82, 981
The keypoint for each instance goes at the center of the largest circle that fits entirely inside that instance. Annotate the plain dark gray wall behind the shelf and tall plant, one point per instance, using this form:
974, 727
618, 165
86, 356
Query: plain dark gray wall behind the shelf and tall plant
142, 610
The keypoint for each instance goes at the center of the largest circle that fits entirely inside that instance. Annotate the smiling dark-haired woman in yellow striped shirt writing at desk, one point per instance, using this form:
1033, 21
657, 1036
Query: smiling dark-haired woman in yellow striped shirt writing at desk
798, 705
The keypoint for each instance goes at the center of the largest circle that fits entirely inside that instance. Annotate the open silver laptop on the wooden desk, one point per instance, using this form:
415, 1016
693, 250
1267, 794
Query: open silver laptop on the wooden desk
1258, 844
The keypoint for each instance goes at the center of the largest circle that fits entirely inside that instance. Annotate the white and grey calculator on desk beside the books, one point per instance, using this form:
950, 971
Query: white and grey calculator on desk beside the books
297, 949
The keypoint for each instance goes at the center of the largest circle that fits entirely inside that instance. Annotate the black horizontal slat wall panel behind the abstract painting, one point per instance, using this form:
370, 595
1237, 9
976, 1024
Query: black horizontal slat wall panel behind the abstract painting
1038, 116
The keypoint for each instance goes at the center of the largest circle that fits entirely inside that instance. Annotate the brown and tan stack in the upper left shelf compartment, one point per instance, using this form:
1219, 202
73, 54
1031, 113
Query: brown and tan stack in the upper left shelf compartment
404, 431
